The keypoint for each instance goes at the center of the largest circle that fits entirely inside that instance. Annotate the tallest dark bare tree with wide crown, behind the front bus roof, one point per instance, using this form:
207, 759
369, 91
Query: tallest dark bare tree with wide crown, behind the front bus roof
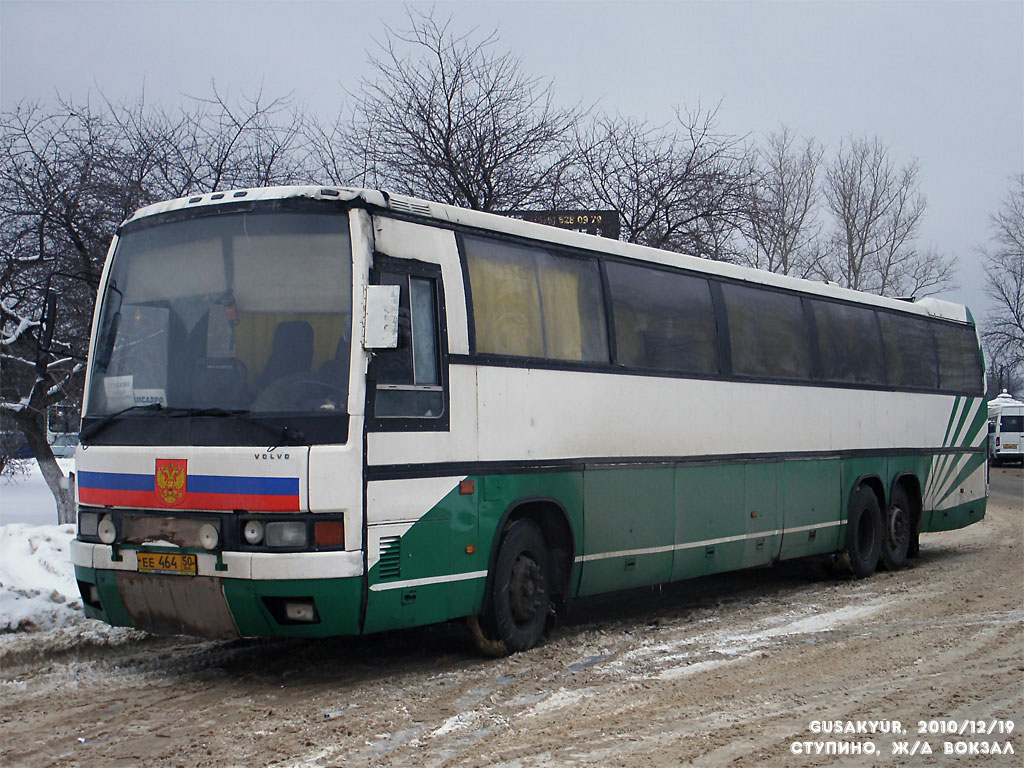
449, 118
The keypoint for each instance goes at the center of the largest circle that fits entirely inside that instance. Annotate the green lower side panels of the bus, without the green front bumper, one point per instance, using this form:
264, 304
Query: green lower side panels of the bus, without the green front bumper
723, 518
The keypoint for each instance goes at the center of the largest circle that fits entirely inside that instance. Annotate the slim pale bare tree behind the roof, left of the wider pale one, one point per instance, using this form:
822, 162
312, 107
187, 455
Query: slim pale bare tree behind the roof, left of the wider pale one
784, 230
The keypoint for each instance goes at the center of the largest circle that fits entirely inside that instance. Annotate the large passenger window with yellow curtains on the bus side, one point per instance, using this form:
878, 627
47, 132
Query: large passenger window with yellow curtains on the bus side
531, 304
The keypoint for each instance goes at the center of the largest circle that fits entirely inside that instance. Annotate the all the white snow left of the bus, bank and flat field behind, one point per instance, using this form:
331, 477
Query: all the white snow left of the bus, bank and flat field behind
37, 579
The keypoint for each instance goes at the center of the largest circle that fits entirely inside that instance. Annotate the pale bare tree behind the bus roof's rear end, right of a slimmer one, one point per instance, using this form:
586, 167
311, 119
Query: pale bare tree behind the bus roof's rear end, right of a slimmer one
877, 209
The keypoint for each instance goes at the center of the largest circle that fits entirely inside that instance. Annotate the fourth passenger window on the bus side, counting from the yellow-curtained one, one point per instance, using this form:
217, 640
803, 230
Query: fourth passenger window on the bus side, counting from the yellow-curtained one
849, 344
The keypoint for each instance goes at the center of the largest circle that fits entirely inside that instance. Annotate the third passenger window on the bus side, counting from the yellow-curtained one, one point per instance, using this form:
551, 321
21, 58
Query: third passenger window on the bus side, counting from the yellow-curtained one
767, 333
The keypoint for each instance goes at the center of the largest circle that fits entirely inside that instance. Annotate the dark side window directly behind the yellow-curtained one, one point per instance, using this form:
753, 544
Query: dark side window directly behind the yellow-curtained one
663, 320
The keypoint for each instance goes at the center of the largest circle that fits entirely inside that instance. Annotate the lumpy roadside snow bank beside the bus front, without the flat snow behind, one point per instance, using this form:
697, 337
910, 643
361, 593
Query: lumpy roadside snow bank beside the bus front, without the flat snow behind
37, 579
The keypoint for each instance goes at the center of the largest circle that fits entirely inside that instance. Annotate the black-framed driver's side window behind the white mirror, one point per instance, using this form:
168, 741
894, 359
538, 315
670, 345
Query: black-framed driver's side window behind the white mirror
409, 379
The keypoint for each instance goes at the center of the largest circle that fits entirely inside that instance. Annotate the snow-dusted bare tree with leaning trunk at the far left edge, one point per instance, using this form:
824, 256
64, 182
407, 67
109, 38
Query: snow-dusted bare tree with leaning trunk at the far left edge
55, 217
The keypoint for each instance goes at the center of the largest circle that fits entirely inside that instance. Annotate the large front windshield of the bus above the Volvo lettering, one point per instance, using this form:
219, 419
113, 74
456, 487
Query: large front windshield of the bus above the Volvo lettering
241, 313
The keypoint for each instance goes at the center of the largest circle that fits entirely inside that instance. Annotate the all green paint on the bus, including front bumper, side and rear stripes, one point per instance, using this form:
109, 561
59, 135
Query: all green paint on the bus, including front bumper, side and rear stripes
723, 518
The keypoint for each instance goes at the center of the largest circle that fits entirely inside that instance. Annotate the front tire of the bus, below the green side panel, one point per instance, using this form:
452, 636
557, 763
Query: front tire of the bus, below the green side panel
521, 590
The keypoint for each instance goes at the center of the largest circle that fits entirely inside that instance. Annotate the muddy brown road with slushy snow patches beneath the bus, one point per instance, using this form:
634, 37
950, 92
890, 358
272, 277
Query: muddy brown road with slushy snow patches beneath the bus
735, 670
